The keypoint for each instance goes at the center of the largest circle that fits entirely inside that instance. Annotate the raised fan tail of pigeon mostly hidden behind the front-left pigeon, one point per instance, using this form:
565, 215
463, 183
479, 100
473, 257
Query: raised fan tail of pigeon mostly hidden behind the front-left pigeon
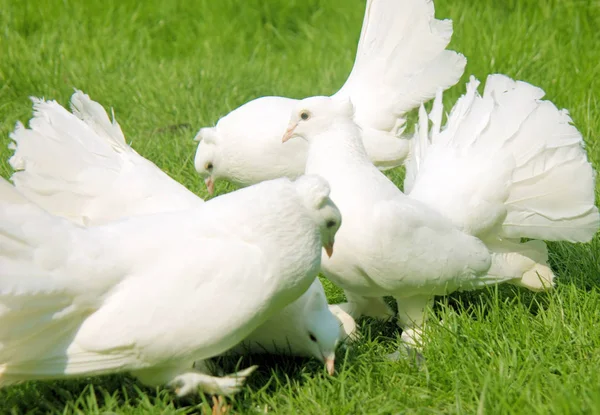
79, 166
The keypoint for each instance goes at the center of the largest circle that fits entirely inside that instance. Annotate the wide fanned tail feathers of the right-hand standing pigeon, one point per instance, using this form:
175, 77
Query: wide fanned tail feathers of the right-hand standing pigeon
506, 165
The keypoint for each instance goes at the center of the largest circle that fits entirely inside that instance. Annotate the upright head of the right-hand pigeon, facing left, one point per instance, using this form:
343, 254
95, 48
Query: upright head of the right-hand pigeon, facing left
316, 114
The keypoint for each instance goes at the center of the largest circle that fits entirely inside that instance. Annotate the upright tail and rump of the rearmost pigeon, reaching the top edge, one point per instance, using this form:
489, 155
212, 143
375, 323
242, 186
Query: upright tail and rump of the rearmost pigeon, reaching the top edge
400, 63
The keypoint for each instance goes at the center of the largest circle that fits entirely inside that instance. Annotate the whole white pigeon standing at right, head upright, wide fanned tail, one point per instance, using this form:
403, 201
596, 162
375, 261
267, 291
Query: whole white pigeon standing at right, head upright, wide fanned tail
502, 169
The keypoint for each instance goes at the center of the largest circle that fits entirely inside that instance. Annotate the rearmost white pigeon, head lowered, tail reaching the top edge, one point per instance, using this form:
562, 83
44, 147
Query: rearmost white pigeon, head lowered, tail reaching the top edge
401, 61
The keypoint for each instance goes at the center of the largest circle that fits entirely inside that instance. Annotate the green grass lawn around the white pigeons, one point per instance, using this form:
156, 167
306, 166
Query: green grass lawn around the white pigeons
160, 64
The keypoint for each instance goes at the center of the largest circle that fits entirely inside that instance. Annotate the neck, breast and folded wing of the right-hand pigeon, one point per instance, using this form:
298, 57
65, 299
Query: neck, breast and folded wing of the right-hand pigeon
405, 246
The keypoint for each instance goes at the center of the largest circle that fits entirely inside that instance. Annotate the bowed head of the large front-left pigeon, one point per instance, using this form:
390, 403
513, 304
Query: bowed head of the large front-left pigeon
314, 192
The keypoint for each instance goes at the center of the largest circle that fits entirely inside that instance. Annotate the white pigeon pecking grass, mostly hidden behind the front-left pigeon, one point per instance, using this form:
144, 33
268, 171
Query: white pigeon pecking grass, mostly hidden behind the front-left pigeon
79, 166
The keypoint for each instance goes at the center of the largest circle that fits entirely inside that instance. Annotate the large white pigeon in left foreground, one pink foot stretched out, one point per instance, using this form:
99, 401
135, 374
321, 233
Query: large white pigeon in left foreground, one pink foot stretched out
153, 293
